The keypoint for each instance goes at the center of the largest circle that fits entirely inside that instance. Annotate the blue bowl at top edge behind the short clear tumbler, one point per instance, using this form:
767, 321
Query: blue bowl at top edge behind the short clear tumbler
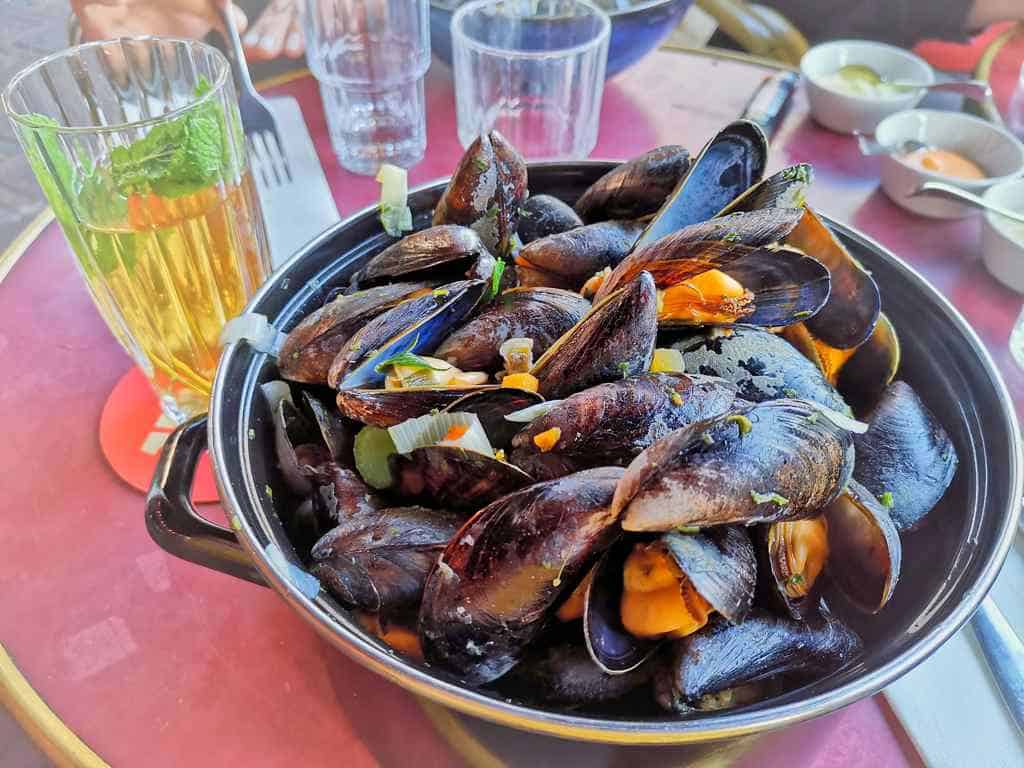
635, 32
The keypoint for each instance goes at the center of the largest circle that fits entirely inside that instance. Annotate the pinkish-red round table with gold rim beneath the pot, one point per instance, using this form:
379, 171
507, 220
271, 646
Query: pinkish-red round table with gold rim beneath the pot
155, 662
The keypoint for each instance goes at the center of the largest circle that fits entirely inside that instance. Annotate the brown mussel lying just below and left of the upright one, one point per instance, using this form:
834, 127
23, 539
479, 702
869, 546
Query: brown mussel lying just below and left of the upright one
448, 250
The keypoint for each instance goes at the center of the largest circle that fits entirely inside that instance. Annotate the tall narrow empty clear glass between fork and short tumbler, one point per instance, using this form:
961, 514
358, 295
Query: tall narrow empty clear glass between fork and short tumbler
370, 58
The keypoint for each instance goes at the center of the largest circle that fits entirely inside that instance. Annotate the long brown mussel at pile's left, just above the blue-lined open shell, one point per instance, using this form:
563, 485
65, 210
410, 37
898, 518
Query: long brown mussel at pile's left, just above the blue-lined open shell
310, 350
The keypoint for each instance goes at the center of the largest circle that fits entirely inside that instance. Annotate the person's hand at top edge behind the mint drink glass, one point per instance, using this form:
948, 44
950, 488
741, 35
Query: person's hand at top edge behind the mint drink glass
103, 20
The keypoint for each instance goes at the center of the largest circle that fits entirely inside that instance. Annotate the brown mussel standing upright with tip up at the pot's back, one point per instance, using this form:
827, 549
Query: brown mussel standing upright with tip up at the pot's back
487, 192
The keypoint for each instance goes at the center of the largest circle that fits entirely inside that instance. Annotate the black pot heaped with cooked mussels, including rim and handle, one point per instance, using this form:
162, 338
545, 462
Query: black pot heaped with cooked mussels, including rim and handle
641, 453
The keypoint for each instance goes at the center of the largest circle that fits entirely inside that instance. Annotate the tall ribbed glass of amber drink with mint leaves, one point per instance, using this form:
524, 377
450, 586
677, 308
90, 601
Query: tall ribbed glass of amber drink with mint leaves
138, 146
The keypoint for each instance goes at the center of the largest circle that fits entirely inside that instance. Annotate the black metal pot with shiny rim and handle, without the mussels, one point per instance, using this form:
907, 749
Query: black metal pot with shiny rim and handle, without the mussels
949, 566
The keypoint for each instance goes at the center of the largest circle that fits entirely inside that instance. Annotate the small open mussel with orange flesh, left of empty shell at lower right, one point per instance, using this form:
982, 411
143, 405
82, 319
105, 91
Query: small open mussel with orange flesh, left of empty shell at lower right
795, 556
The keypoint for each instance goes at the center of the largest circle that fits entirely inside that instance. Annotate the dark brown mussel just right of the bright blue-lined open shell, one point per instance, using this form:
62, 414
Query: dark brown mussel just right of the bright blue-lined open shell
539, 314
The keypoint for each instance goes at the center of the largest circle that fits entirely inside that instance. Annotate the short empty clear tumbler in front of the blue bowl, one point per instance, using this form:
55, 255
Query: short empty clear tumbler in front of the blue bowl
534, 70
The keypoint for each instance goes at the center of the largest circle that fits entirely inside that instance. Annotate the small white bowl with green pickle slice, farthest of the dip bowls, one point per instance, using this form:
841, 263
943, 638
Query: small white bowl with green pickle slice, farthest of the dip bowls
848, 114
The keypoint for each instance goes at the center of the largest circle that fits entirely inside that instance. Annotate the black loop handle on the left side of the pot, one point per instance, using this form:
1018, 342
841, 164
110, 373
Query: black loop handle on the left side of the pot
174, 522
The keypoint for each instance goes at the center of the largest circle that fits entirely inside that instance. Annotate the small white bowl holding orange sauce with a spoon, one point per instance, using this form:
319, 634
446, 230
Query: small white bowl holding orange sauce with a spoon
996, 150
